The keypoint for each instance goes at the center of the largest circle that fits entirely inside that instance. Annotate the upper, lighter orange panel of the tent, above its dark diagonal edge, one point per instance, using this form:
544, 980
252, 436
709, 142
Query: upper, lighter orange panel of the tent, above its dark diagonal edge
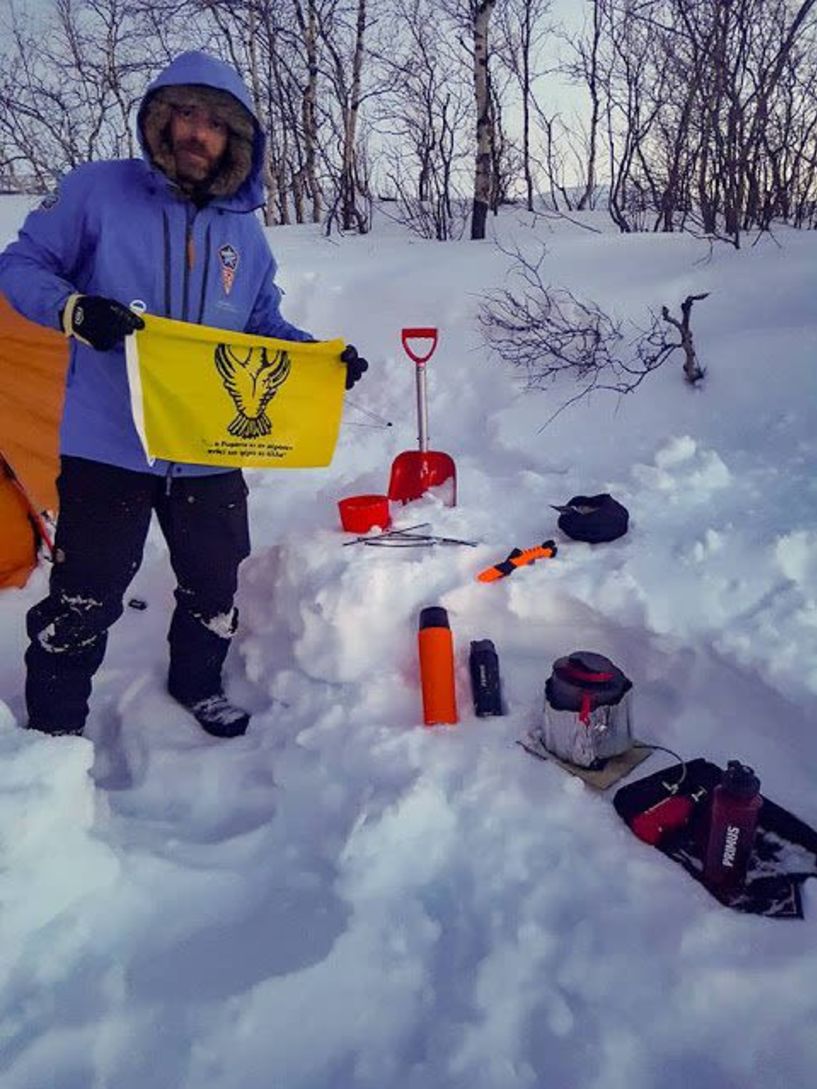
33, 364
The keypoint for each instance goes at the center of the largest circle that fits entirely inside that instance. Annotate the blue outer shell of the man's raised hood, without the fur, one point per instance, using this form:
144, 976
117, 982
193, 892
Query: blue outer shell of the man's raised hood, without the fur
202, 70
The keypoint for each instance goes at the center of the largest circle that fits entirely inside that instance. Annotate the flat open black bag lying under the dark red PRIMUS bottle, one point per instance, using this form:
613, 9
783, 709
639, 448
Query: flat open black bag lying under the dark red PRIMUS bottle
784, 855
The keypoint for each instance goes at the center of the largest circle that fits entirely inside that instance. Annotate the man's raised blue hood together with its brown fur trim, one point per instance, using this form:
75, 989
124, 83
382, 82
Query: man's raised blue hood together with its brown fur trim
239, 185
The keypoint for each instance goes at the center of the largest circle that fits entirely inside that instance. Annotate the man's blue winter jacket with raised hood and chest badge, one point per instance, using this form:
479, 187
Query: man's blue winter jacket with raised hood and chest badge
123, 230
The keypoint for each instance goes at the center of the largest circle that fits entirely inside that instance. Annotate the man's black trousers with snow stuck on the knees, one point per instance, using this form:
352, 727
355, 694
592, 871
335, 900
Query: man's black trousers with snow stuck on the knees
105, 513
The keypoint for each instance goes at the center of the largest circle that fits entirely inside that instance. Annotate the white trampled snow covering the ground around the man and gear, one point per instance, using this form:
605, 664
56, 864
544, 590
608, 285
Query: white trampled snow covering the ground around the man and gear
345, 899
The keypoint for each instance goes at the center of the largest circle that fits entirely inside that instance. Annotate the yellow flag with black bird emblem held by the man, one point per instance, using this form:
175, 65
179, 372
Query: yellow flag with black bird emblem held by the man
214, 397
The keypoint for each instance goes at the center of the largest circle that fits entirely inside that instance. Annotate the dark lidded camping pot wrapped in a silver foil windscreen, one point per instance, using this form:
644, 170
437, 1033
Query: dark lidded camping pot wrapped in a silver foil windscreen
587, 718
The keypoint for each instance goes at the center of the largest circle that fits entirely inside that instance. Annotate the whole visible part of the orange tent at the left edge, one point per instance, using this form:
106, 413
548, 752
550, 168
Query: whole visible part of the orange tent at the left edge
33, 362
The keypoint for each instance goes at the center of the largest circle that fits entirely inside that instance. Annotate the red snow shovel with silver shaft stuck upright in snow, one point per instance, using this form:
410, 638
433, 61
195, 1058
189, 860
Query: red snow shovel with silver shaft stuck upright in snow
414, 472
